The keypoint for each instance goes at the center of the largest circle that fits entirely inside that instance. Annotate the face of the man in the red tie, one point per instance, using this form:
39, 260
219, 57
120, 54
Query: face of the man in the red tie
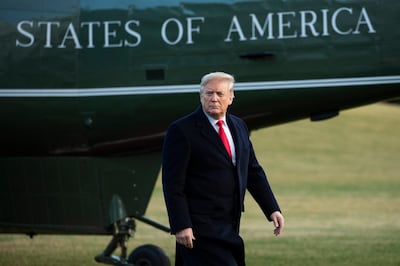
216, 97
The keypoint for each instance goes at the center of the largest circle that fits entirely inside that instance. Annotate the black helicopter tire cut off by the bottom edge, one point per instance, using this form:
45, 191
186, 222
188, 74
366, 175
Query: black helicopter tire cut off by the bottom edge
149, 255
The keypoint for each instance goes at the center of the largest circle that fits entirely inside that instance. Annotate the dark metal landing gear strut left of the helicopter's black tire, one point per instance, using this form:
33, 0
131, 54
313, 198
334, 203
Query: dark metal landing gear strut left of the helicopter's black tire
123, 230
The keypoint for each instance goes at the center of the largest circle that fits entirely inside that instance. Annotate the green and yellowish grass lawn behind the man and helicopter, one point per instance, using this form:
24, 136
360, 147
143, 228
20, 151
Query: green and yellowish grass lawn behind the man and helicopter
338, 184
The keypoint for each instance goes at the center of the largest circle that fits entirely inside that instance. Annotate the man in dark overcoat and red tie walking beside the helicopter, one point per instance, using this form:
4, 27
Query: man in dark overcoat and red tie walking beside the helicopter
204, 180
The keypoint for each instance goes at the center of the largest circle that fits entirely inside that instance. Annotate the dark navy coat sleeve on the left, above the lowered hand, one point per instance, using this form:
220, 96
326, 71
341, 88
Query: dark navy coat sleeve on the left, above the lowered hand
176, 154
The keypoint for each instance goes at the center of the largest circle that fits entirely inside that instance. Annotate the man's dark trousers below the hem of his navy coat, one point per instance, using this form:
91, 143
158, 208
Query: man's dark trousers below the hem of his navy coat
212, 252
